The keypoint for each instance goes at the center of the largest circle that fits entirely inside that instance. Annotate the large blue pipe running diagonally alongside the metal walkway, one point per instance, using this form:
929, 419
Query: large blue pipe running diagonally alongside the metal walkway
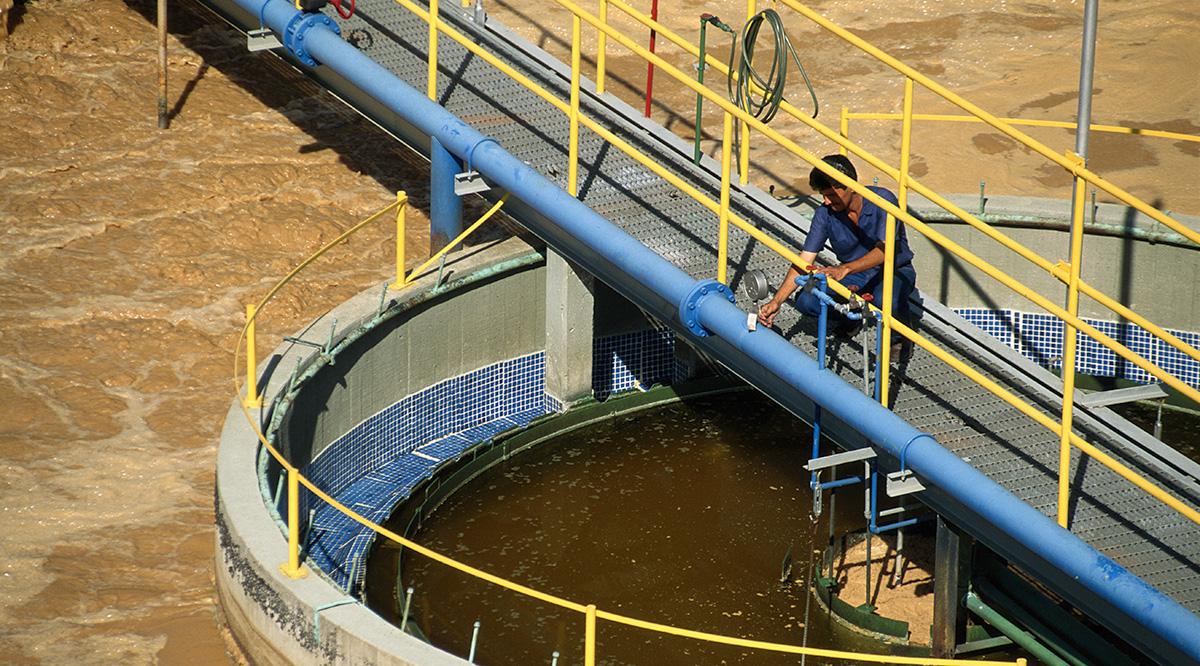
1161, 616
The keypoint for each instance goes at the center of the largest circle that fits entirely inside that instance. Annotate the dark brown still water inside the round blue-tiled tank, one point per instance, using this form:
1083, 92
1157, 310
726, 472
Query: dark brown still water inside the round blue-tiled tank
683, 515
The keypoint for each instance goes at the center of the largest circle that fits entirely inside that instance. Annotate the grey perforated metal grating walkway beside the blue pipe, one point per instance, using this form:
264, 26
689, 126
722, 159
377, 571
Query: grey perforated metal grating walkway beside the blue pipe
1150, 539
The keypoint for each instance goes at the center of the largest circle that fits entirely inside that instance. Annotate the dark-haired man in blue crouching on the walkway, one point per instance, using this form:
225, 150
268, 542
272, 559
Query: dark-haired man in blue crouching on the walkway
855, 229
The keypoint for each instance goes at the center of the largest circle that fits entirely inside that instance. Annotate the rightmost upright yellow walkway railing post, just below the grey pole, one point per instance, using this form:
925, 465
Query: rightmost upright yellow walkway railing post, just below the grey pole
1069, 347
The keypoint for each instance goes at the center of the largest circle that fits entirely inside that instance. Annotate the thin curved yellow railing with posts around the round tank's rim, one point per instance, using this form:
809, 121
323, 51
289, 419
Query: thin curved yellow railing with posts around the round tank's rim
295, 568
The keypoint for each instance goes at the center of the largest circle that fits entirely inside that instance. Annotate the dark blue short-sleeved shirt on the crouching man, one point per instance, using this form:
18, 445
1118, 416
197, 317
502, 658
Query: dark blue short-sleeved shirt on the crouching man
853, 243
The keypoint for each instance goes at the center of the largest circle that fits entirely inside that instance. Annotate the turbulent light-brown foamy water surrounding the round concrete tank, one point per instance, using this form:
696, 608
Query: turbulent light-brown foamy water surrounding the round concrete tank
129, 254
